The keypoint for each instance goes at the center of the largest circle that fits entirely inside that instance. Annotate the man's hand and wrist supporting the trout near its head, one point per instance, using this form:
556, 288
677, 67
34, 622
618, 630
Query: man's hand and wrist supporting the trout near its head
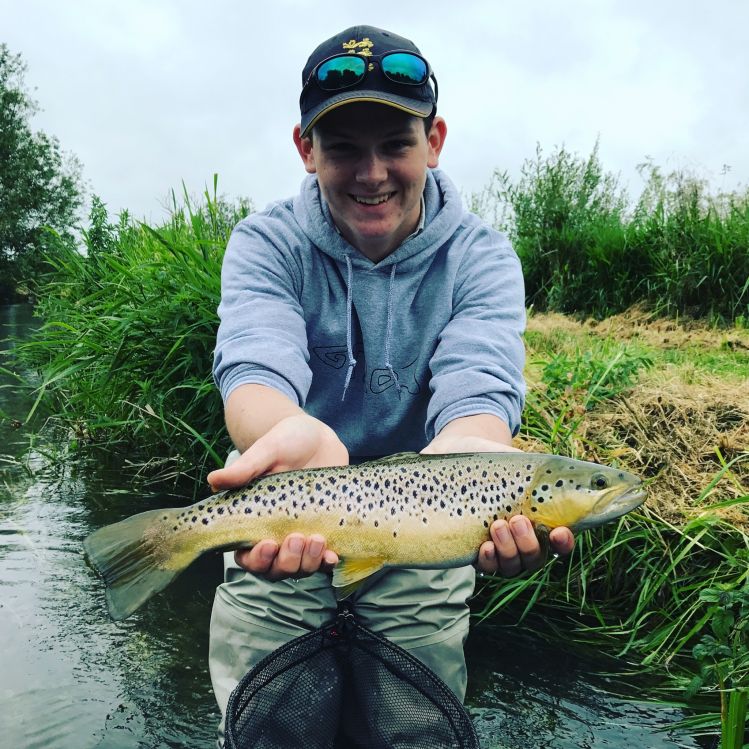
514, 547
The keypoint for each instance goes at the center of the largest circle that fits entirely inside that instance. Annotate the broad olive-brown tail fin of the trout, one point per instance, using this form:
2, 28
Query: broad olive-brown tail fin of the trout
136, 559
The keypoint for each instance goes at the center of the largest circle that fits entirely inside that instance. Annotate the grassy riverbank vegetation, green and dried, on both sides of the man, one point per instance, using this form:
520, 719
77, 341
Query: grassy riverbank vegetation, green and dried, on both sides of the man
651, 373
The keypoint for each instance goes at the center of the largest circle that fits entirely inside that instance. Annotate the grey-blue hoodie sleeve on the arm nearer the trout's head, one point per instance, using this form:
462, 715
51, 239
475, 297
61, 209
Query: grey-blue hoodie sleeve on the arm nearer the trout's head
478, 364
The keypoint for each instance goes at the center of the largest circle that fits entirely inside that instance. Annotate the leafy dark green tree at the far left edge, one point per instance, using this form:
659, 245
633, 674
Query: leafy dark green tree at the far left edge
40, 185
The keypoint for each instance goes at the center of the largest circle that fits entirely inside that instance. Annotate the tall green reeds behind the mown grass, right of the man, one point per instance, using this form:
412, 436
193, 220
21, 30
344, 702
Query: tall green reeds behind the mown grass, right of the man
586, 247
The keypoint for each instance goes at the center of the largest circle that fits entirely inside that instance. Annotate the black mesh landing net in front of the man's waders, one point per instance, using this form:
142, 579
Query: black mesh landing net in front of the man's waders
344, 687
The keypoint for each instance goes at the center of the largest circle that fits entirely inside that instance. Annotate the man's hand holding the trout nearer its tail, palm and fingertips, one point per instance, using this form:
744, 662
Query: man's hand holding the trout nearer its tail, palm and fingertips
298, 441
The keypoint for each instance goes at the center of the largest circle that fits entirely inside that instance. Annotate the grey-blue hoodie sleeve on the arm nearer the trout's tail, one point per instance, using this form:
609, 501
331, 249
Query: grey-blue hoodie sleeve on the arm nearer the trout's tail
262, 336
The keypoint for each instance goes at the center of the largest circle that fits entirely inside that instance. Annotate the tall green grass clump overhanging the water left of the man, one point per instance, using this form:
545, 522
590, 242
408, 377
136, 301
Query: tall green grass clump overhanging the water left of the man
124, 354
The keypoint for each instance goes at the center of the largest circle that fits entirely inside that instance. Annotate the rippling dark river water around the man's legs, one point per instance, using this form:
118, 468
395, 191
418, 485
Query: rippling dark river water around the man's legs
70, 678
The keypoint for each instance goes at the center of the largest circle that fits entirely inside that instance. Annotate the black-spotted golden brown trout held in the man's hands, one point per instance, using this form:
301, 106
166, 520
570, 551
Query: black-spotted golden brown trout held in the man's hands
407, 510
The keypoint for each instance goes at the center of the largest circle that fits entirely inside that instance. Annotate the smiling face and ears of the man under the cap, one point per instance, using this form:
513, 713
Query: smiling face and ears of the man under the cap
371, 162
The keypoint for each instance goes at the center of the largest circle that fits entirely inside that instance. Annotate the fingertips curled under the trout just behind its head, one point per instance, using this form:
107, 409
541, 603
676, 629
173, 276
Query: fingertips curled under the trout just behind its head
513, 549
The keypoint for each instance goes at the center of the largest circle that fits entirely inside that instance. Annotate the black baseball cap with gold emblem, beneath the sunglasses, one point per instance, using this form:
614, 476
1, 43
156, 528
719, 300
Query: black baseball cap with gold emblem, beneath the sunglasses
369, 42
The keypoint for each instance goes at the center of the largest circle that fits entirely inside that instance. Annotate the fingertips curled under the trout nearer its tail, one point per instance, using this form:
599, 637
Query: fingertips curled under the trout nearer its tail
296, 557
